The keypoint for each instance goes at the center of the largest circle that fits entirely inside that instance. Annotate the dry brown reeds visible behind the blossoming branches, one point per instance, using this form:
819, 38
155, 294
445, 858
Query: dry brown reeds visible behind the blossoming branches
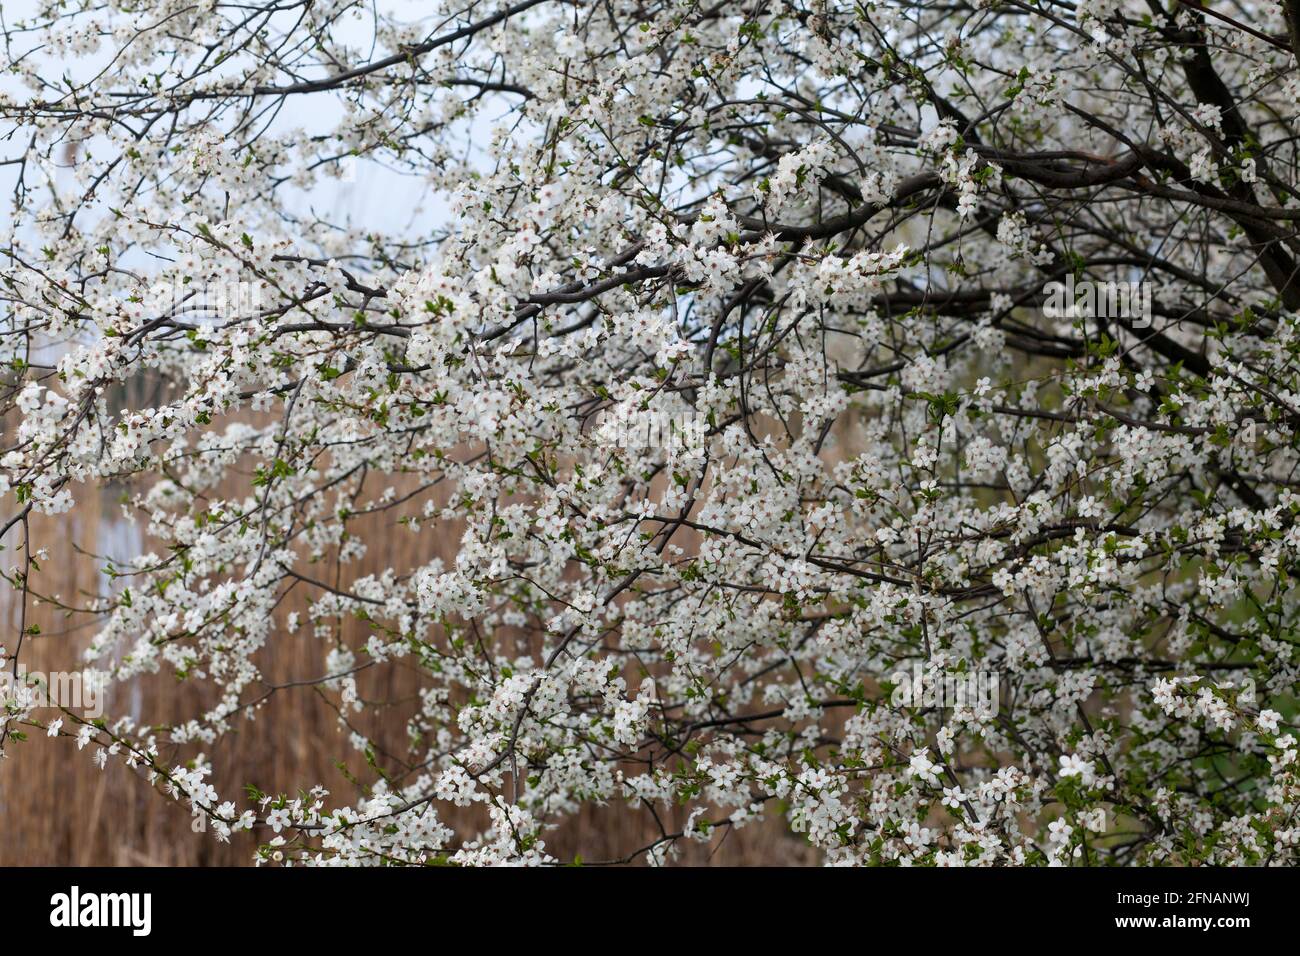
59, 808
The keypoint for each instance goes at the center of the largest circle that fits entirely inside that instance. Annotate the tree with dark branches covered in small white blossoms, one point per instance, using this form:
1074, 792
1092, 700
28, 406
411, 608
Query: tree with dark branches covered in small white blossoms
733, 371
